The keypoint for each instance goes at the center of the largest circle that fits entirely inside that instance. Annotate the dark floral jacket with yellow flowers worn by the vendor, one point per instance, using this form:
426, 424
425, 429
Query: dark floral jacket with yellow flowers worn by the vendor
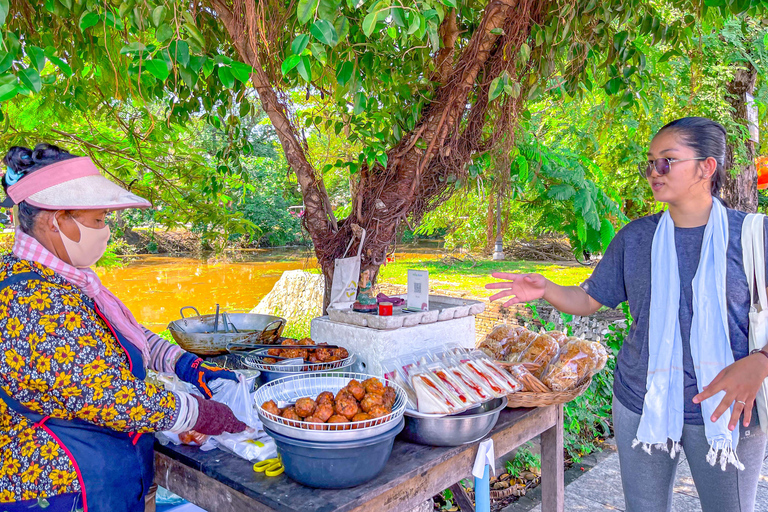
59, 359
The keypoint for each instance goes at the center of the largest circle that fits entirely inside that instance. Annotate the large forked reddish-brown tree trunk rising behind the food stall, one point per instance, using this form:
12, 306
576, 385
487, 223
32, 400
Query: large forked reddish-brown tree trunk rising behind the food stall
415, 178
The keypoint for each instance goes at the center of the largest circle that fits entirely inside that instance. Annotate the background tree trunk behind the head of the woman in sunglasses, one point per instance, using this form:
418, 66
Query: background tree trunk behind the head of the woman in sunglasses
740, 188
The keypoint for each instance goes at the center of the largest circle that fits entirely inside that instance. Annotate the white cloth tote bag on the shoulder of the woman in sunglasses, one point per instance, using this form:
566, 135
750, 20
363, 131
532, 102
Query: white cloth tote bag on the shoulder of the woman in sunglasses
753, 251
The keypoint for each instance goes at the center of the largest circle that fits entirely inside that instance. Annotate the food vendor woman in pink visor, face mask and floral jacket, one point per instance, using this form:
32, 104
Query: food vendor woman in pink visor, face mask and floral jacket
74, 406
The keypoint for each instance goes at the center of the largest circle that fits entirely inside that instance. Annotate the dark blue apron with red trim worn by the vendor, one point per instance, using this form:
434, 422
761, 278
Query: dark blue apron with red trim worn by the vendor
115, 469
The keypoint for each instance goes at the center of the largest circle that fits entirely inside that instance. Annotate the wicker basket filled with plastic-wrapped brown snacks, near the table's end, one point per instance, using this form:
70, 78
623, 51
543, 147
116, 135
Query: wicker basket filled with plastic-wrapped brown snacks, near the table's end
552, 368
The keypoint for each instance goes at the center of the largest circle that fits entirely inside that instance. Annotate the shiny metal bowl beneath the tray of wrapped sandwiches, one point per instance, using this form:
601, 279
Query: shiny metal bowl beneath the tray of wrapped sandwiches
466, 427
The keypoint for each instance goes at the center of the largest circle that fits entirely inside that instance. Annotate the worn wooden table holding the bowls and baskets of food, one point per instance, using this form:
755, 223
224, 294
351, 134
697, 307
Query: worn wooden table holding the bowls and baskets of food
221, 482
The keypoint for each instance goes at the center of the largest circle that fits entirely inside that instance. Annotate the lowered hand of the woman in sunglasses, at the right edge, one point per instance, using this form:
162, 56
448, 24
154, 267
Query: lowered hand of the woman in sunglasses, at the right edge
740, 381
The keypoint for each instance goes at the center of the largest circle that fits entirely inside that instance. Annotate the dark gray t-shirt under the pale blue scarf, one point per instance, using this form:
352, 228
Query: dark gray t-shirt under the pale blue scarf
624, 274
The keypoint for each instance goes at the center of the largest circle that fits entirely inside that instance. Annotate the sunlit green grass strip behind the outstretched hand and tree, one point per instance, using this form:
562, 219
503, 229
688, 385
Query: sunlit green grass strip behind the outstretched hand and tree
463, 276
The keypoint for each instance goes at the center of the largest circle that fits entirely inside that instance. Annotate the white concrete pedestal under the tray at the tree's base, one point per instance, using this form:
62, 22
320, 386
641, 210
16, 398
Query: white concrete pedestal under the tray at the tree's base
371, 346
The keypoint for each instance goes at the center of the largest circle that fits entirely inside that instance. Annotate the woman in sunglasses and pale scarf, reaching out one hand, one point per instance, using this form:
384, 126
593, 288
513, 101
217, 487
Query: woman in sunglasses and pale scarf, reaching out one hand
684, 376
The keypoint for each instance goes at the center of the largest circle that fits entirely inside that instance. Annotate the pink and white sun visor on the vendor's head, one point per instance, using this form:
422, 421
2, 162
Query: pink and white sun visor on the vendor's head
73, 184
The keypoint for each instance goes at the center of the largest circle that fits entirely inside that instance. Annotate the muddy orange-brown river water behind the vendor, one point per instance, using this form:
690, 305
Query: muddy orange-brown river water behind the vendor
155, 288
